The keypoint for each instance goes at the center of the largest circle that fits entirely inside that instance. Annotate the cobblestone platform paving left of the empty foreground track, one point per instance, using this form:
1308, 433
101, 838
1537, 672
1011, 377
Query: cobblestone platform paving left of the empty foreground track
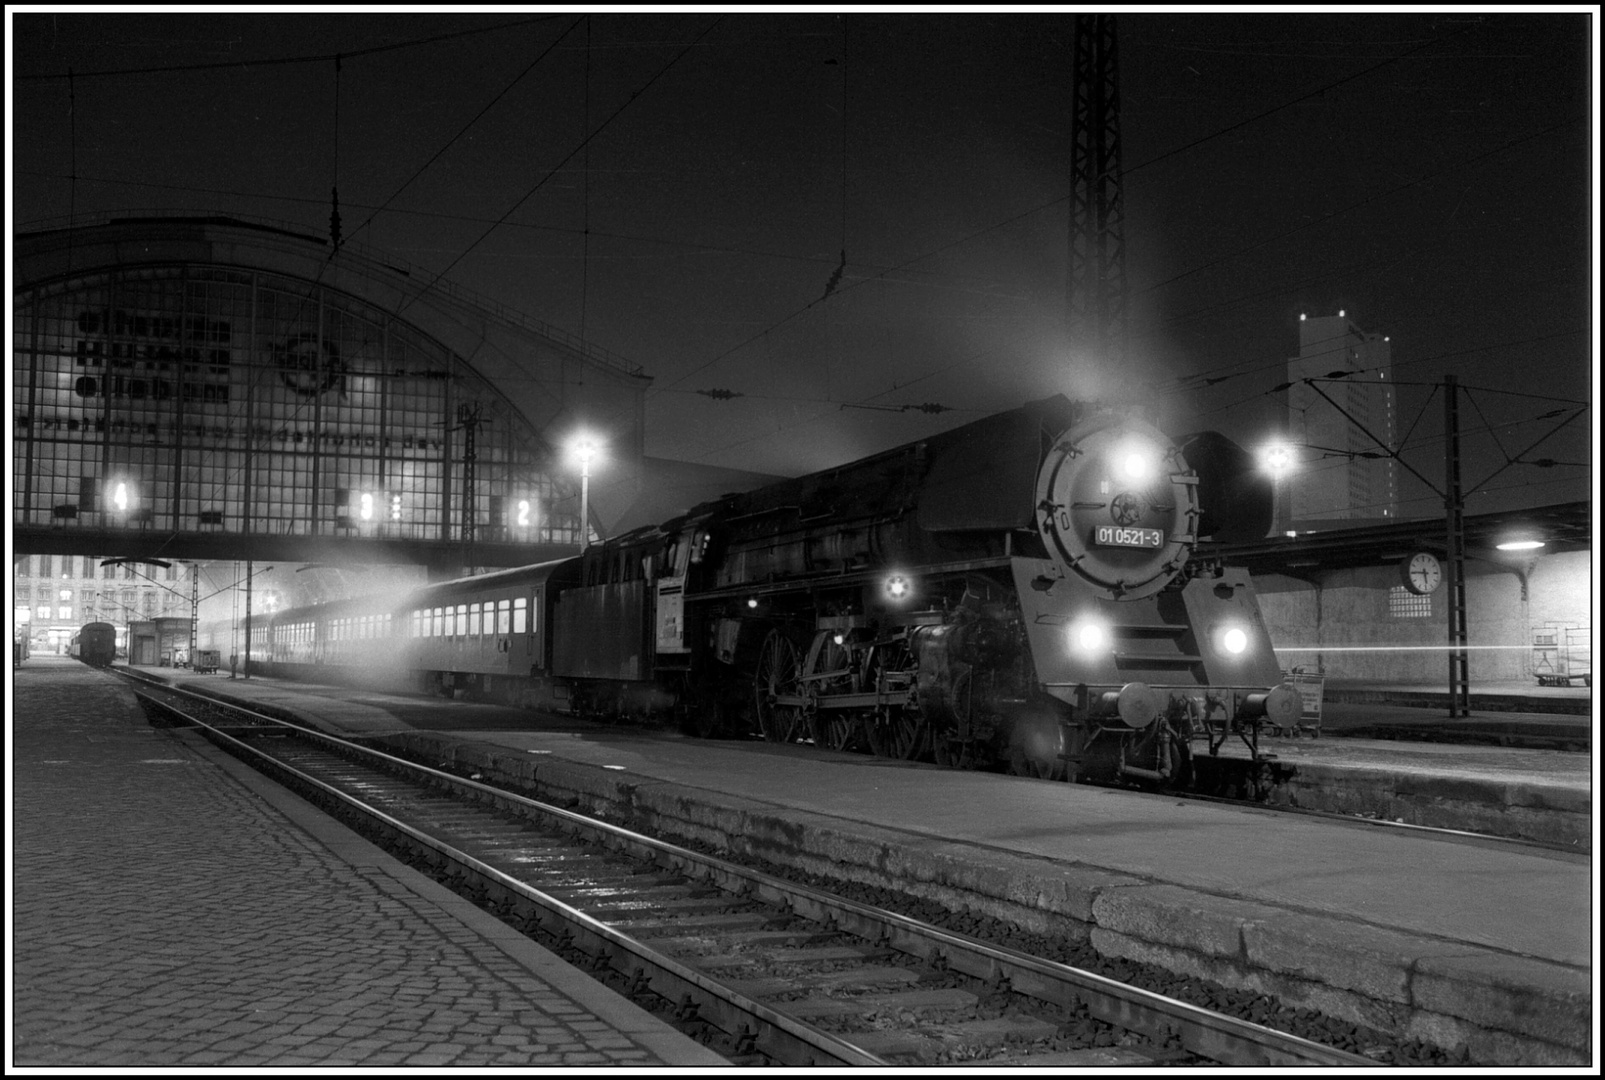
174, 911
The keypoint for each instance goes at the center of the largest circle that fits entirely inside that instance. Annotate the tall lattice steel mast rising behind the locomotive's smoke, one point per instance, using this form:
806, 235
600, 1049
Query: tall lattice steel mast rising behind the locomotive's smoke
1097, 282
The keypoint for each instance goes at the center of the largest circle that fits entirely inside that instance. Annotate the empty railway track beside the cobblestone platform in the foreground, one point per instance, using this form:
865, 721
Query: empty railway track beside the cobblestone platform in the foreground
765, 970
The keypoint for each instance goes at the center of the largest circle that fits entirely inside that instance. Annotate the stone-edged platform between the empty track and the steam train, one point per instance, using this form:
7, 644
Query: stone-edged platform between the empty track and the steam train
1461, 943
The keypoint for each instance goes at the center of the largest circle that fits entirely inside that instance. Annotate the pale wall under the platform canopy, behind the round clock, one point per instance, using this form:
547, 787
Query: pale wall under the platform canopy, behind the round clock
1346, 625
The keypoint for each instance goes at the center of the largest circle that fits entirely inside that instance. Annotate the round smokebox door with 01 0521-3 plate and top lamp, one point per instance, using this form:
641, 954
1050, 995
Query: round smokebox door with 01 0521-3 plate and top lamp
1118, 506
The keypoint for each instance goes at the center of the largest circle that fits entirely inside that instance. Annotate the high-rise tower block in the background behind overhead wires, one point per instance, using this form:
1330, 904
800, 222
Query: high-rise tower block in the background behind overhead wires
1346, 469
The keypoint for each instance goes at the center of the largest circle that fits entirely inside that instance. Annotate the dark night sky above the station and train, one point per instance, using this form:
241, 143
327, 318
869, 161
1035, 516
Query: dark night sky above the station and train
1429, 174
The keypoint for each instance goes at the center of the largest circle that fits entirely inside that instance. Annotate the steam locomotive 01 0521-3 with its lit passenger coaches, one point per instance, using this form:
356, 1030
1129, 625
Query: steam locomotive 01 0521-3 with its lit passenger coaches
1022, 593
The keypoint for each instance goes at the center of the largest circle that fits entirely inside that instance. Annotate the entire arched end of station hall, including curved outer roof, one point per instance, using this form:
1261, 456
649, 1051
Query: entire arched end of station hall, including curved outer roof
201, 380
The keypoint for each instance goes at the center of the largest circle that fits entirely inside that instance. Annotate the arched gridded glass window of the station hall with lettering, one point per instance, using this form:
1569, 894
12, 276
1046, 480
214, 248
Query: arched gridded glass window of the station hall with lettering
221, 400
